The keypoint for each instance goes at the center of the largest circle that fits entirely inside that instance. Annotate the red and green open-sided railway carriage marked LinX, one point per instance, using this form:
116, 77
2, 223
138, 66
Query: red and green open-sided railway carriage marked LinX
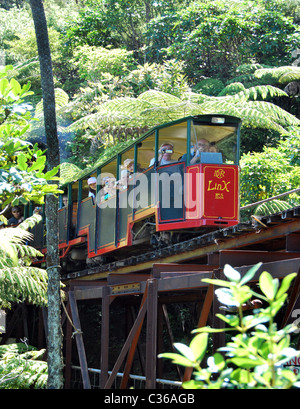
161, 203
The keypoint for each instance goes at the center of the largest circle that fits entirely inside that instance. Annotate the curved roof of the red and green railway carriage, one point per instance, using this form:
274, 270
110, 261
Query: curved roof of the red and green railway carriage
203, 119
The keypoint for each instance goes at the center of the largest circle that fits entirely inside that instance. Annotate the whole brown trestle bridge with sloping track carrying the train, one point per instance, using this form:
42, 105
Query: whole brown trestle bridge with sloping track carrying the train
173, 275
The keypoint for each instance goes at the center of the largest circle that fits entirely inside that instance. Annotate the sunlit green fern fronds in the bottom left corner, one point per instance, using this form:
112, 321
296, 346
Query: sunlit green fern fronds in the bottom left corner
22, 367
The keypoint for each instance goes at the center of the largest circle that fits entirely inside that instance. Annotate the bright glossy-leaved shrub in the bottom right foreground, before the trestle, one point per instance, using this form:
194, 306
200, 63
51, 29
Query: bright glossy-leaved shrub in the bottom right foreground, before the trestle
256, 354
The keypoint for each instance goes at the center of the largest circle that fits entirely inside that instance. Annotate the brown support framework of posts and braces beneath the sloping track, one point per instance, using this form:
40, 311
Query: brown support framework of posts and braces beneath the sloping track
165, 284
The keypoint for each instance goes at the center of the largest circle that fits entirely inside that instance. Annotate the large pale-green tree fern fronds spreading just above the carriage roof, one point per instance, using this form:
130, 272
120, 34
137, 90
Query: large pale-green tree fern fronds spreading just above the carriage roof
154, 107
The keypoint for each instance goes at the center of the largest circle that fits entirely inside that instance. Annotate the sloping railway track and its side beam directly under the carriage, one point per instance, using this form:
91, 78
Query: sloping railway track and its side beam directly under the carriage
252, 235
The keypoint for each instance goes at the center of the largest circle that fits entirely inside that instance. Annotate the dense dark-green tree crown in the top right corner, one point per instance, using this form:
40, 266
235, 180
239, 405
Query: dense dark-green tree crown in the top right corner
215, 38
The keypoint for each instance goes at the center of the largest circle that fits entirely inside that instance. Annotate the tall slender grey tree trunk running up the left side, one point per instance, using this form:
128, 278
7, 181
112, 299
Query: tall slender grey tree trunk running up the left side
55, 361
